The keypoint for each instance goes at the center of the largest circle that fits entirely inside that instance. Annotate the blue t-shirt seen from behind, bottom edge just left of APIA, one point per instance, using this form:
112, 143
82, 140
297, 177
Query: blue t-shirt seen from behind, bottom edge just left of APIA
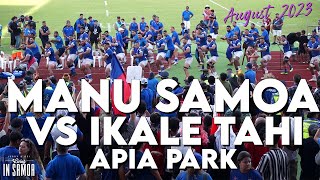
64, 166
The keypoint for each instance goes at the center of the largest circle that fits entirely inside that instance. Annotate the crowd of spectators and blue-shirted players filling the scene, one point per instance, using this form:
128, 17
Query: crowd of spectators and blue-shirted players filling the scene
149, 43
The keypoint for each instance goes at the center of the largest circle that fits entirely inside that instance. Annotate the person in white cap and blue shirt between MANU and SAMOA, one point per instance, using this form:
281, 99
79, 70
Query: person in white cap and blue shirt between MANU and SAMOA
147, 95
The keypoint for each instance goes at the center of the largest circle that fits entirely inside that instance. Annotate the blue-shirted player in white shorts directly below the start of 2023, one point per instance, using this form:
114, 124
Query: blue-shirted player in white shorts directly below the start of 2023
287, 54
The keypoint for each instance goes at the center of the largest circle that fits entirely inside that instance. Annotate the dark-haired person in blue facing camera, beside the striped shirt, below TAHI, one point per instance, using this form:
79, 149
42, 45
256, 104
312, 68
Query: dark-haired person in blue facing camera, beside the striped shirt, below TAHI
245, 170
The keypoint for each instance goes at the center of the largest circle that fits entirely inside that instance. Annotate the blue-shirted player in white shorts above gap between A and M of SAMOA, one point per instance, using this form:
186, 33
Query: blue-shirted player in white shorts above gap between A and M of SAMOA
213, 49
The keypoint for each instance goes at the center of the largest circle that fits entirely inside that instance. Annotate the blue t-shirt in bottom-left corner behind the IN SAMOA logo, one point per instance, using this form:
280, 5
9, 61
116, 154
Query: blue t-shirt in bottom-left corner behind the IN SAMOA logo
6, 155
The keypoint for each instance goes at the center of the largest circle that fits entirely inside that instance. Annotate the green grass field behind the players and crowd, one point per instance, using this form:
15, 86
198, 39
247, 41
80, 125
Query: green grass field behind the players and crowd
58, 11
